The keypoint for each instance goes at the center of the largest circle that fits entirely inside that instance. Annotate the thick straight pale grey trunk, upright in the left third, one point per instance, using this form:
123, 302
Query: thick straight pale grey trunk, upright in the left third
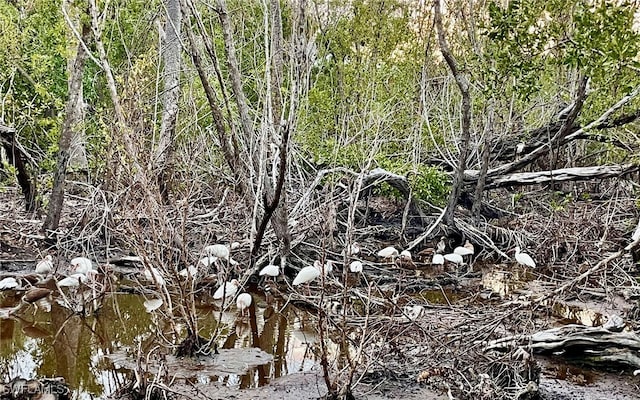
171, 55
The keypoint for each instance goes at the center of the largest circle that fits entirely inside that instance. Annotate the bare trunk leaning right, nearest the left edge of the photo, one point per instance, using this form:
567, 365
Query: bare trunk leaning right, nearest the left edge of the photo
69, 125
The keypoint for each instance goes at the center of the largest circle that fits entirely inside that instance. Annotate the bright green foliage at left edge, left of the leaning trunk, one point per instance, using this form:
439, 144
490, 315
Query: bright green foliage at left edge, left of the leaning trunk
33, 51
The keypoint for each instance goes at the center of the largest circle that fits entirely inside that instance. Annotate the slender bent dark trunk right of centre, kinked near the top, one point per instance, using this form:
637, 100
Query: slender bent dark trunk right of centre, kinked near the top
463, 84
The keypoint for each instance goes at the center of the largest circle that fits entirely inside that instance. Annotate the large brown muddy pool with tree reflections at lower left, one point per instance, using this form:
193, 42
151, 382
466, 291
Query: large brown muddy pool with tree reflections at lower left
95, 354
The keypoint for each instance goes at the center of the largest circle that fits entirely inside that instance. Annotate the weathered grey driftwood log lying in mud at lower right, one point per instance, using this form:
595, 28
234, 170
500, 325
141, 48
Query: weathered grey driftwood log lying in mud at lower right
596, 345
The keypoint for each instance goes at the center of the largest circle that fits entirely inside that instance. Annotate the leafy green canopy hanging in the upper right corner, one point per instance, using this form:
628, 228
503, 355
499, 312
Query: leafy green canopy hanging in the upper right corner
529, 42
